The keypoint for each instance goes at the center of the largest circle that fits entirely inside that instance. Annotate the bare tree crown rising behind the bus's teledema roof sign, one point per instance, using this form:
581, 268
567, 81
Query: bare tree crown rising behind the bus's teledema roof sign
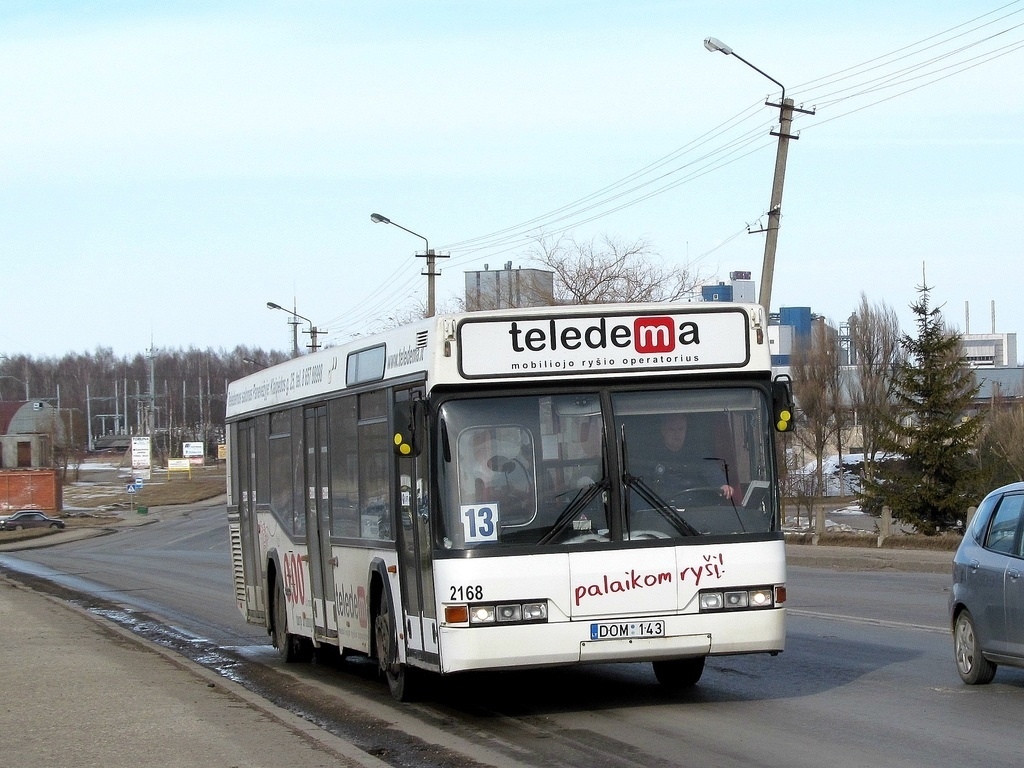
606, 270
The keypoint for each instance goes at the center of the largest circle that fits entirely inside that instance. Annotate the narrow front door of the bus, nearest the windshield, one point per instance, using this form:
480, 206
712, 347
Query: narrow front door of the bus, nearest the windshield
412, 483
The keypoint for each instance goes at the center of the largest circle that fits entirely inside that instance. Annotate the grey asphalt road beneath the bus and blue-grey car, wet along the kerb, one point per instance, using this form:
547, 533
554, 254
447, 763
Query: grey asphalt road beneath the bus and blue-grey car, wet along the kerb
868, 677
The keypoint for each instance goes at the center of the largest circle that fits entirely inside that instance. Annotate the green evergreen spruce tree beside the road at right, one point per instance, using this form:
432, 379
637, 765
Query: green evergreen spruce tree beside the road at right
931, 429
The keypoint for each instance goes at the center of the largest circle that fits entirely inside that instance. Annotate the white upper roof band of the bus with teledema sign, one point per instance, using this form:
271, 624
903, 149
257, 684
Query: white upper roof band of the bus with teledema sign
566, 343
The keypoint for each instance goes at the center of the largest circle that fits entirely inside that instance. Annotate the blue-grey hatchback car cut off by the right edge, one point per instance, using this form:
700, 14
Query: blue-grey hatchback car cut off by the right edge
987, 604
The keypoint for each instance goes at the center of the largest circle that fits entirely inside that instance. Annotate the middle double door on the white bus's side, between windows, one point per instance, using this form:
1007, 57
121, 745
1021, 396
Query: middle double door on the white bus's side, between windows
322, 562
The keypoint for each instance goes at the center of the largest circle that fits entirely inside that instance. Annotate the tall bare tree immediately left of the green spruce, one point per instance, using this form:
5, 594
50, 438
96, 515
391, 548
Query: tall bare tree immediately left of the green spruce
877, 355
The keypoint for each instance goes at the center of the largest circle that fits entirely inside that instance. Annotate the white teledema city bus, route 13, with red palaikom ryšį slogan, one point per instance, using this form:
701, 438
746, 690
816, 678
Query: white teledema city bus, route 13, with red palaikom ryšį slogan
485, 491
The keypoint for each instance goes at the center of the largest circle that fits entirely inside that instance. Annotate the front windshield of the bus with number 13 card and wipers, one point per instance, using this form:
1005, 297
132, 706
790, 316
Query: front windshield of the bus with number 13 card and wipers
602, 467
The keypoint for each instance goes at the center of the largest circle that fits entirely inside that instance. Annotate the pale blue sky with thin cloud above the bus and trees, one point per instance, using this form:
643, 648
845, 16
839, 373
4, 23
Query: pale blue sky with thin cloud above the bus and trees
167, 169
